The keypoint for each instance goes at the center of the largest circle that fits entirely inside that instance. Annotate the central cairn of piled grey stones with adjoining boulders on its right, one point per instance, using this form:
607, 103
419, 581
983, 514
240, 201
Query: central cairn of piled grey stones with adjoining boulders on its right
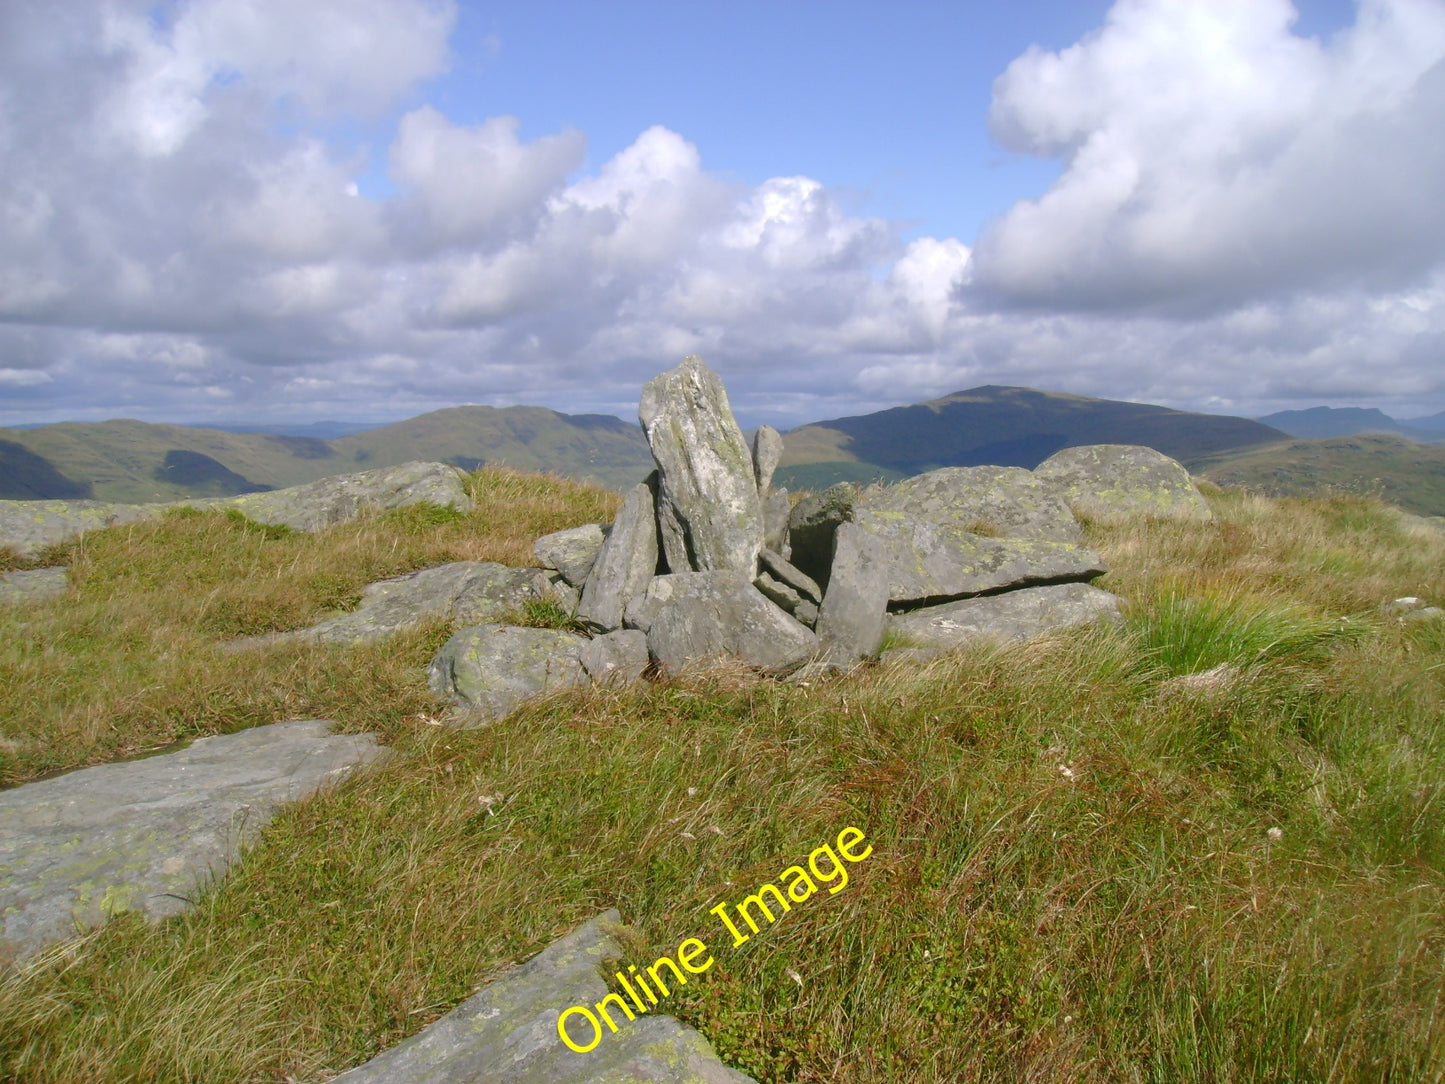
707, 560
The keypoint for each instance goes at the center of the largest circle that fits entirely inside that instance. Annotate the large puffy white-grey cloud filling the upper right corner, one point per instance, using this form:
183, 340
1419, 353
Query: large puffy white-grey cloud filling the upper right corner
1215, 158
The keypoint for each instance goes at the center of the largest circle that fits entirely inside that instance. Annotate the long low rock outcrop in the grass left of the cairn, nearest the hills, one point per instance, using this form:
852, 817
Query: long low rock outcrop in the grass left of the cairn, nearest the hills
346, 496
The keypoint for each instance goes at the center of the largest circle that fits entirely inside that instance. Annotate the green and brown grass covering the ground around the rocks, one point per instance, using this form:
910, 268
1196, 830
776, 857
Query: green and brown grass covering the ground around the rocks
1090, 864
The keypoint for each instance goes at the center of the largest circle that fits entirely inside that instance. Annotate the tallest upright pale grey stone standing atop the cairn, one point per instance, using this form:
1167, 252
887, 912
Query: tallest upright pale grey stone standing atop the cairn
709, 512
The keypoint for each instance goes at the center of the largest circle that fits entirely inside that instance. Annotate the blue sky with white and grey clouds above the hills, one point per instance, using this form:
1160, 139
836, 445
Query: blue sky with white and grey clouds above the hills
281, 212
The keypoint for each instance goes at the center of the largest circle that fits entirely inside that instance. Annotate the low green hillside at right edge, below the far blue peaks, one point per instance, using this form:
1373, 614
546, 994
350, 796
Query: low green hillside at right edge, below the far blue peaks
1388, 468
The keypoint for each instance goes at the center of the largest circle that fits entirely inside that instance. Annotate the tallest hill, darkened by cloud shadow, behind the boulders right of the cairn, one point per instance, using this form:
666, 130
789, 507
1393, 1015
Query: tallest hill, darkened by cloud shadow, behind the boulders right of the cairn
1012, 427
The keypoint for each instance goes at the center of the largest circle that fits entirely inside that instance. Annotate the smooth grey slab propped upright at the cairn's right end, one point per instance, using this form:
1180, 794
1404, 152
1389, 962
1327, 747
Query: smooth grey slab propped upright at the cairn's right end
852, 618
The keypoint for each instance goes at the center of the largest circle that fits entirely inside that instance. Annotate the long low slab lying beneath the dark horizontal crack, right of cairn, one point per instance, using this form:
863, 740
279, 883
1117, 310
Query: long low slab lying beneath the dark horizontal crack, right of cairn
1011, 616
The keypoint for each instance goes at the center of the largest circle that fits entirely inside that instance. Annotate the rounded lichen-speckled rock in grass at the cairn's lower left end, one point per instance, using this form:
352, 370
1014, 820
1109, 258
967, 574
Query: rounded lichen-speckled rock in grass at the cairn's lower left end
495, 668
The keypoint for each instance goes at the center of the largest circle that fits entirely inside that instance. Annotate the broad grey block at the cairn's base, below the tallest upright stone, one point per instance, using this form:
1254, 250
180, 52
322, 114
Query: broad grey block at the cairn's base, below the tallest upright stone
699, 616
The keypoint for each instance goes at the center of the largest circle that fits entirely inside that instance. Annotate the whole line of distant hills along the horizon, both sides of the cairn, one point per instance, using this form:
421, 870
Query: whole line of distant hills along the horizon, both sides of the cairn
139, 462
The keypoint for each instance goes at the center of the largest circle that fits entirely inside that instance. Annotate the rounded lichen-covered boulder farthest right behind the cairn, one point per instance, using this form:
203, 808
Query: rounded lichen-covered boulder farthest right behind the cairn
1118, 481
